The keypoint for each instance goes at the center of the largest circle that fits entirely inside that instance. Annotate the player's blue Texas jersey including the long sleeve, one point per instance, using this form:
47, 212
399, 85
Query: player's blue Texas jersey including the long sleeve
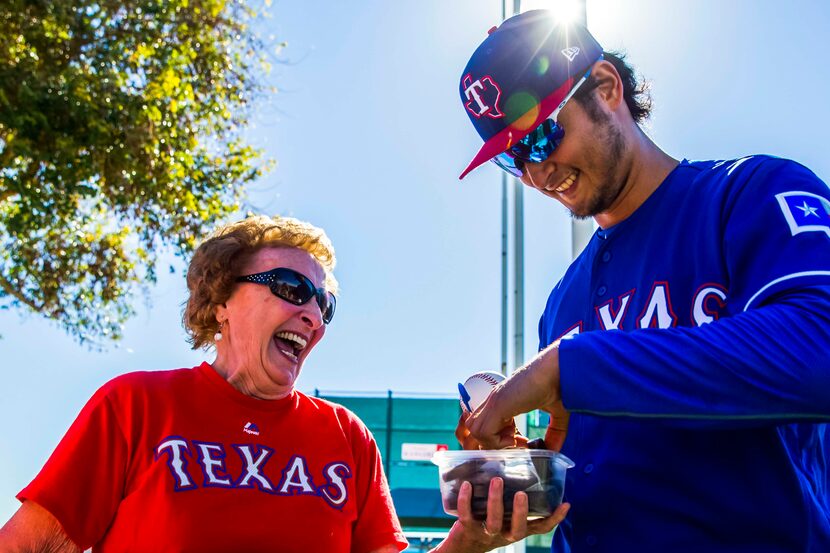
695, 360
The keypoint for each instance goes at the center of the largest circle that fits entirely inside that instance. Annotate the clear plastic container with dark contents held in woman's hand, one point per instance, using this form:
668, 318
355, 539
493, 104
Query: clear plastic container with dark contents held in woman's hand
539, 473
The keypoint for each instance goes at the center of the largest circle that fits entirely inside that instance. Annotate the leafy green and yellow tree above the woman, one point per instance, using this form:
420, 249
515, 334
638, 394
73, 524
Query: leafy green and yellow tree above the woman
120, 138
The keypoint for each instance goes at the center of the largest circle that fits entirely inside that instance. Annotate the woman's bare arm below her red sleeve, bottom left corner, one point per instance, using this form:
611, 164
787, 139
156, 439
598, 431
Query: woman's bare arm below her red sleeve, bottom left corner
33, 529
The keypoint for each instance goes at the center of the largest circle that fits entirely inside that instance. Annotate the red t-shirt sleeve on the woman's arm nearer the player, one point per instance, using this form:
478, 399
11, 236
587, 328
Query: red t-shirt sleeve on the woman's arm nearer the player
377, 523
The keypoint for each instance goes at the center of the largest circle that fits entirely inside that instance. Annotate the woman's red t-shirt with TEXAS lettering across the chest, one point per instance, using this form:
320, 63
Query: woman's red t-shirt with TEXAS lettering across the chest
181, 461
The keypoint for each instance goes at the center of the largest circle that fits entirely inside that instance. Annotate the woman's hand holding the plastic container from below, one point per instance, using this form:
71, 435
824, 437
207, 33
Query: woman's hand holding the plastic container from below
474, 536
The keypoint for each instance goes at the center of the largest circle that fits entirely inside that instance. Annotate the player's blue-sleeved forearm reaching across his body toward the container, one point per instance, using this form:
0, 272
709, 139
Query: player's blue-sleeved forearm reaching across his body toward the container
768, 364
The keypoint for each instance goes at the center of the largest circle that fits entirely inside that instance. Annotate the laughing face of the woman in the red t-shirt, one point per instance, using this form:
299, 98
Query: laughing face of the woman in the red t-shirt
265, 338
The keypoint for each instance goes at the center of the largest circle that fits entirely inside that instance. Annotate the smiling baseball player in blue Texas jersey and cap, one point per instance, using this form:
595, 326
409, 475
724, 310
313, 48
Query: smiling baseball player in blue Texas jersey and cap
684, 354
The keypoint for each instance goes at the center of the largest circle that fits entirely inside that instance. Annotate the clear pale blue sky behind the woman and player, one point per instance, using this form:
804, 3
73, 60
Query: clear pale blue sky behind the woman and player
370, 137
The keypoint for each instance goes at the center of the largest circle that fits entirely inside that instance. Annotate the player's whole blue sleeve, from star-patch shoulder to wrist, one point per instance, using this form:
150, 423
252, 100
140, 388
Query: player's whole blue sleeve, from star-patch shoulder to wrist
766, 363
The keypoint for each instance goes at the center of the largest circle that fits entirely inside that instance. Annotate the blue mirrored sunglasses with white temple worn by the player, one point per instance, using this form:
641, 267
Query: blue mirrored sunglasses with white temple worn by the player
540, 143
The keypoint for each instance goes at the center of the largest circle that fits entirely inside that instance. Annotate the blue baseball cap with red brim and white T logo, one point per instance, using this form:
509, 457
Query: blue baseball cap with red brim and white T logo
520, 74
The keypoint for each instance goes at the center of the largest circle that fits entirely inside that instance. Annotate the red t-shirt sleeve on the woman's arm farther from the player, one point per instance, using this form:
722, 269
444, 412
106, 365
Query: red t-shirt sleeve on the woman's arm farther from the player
82, 482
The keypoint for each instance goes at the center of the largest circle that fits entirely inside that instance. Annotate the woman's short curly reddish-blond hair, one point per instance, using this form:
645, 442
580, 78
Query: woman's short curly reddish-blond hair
211, 275
